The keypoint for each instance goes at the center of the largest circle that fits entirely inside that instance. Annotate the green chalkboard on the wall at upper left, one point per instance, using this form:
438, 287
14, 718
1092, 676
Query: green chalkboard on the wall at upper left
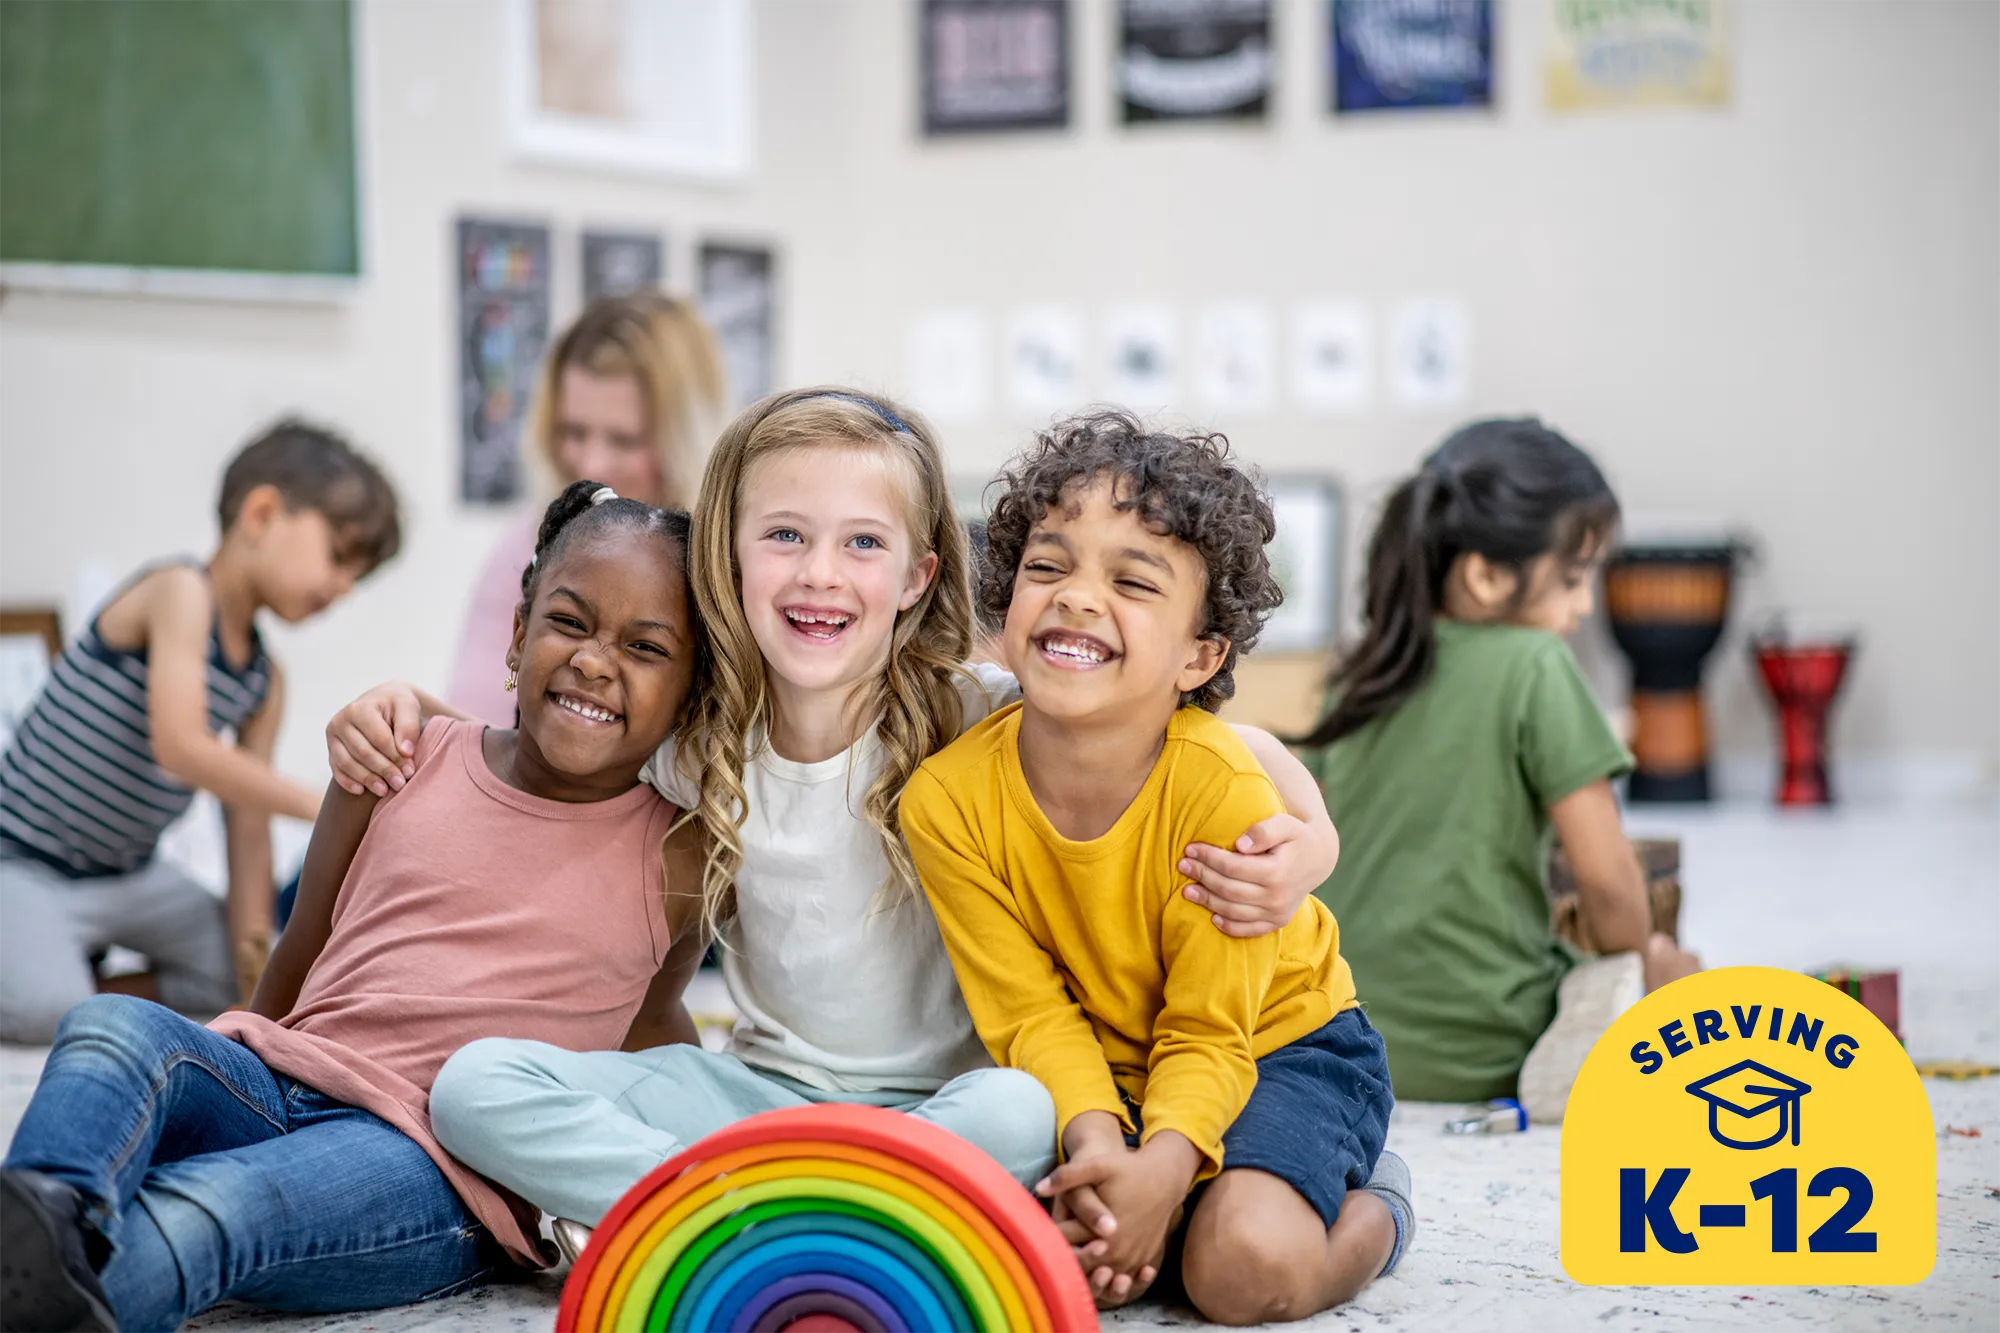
179, 135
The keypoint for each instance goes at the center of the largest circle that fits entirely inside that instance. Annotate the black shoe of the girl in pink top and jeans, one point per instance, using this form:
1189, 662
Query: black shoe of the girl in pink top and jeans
47, 1284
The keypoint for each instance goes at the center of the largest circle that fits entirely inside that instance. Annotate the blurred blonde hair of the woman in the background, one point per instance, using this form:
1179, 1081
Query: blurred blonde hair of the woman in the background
673, 355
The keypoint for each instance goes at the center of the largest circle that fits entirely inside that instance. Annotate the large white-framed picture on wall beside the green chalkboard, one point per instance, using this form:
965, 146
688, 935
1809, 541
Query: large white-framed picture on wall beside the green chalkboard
661, 89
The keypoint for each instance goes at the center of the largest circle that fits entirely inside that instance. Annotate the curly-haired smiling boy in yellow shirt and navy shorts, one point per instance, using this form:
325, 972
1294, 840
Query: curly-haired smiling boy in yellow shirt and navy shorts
1229, 1084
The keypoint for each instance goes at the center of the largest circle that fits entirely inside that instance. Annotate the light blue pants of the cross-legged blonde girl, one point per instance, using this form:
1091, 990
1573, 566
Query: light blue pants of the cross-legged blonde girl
573, 1132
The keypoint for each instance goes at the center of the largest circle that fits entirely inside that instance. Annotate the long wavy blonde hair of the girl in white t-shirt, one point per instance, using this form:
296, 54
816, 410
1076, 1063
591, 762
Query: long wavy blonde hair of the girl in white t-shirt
915, 702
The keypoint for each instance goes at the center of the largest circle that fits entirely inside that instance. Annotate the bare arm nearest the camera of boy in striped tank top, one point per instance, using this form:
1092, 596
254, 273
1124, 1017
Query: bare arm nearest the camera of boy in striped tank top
177, 611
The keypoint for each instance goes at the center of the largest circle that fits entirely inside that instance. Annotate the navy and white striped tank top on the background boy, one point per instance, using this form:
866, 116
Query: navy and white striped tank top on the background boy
79, 786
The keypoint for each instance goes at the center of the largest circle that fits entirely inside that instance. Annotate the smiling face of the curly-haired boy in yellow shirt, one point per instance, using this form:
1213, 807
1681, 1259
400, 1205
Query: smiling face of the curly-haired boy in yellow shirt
1107, 611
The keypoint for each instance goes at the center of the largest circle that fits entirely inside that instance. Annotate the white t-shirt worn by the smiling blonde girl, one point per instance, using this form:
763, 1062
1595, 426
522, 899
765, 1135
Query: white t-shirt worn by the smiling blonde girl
831, 992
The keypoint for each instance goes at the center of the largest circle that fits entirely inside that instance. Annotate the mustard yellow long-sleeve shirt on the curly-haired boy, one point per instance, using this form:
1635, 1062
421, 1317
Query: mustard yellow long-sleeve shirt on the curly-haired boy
1085, 966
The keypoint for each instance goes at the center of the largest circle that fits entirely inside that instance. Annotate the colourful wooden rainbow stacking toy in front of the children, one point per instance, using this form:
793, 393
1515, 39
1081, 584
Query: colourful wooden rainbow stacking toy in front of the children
827, 1220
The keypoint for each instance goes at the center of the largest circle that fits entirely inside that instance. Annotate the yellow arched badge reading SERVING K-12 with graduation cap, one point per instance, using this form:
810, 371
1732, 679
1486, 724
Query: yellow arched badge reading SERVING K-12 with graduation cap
1749, 1128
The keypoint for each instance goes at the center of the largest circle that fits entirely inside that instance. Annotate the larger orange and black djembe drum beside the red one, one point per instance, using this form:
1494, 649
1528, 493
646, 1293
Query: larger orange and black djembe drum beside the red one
1667, 607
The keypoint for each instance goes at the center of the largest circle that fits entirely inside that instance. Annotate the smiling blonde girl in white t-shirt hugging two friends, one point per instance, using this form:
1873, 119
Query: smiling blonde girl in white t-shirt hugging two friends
833, 583
